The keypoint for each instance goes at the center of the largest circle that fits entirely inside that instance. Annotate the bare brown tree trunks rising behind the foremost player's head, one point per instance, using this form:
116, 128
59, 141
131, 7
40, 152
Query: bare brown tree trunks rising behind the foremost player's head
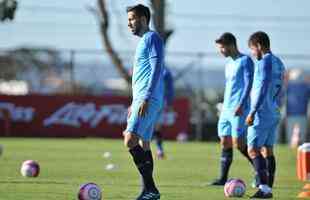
103, 17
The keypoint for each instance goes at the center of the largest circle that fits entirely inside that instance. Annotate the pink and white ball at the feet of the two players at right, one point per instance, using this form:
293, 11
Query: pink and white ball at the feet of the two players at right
234, 188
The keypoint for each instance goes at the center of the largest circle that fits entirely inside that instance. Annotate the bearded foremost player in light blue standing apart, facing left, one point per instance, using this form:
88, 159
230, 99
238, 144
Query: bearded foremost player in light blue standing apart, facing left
147, 89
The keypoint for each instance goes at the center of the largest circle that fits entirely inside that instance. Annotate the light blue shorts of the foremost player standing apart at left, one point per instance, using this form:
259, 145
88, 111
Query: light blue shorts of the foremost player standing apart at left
143, 126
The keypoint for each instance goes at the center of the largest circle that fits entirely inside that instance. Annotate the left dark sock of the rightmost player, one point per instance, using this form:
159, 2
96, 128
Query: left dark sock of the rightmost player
259, 164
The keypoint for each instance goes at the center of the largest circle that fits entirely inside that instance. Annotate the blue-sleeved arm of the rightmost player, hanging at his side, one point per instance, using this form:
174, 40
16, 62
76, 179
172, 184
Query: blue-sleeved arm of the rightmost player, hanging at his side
265, 77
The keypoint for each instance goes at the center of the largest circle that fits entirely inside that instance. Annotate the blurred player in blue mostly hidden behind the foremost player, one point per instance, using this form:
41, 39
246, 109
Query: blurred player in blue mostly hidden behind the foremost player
168, 100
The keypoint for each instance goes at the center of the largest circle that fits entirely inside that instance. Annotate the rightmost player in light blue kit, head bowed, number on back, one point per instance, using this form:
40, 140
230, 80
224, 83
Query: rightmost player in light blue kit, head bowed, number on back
264, 113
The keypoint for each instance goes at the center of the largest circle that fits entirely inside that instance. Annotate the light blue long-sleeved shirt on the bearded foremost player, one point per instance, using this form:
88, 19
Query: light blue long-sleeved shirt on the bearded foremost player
147, 79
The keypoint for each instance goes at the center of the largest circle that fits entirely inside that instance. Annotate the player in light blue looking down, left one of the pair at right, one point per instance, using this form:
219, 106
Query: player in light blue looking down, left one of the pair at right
231, 125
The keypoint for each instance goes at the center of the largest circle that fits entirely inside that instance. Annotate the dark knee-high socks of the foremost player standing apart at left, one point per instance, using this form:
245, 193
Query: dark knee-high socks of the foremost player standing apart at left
144, 163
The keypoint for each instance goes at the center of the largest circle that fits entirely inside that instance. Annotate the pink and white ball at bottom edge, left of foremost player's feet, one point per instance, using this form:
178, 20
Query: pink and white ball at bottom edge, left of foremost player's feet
89, 191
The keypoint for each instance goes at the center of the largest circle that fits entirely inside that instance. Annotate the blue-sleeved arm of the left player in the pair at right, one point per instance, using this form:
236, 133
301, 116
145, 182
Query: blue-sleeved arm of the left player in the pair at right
248, 71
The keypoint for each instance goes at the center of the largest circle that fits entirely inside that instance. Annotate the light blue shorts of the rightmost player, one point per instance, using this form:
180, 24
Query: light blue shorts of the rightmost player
263, 132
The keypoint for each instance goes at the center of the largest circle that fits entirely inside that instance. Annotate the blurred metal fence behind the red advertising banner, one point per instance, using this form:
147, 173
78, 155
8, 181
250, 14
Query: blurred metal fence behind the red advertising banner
198, 76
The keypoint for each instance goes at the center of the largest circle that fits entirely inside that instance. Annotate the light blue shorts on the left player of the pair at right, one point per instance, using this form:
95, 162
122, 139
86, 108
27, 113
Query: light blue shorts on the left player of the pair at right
230, 125
